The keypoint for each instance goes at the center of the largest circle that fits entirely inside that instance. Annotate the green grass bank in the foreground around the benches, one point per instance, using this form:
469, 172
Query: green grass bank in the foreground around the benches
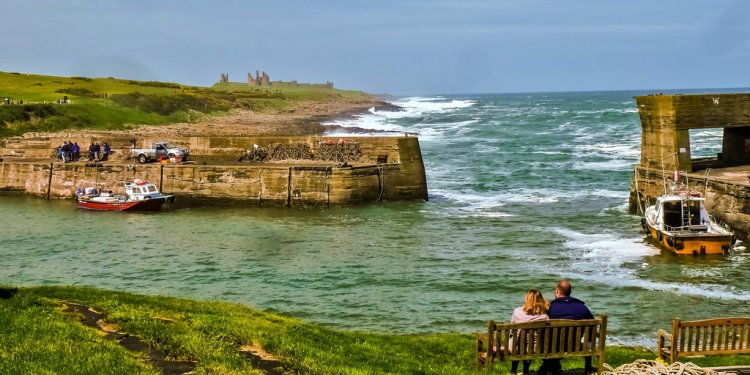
36, 336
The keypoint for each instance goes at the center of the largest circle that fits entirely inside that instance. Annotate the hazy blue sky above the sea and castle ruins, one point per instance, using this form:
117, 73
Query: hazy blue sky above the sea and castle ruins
406, 47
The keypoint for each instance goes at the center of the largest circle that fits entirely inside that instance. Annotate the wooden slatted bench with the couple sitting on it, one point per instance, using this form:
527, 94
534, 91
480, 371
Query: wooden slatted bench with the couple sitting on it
544, 339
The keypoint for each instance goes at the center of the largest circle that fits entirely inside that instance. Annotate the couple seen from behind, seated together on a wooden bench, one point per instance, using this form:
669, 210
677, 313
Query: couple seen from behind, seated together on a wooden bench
562, 307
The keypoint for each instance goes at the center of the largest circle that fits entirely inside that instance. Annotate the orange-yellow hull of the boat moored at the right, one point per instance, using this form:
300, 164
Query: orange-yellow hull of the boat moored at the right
692, 243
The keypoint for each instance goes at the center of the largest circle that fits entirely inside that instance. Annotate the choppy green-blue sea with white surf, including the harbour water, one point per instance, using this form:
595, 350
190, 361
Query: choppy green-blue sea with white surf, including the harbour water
524, 190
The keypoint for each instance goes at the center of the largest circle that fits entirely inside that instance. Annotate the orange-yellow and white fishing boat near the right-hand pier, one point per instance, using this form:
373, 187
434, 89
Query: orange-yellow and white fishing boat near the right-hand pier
681, 224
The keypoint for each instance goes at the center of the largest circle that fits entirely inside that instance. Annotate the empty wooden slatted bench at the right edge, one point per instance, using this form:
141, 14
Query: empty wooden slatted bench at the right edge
704, 337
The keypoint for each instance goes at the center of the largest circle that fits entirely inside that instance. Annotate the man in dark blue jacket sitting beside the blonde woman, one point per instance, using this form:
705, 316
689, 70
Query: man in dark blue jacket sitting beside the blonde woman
566, 307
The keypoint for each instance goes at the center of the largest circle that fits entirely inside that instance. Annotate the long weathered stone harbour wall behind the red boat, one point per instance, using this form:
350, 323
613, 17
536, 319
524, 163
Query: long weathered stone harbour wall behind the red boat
401, 177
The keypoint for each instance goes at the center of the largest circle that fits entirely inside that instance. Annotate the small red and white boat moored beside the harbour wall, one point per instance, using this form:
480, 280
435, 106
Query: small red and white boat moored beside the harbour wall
140, 195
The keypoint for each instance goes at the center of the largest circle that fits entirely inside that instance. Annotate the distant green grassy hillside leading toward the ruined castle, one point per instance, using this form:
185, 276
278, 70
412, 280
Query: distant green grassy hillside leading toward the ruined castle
110, 103
